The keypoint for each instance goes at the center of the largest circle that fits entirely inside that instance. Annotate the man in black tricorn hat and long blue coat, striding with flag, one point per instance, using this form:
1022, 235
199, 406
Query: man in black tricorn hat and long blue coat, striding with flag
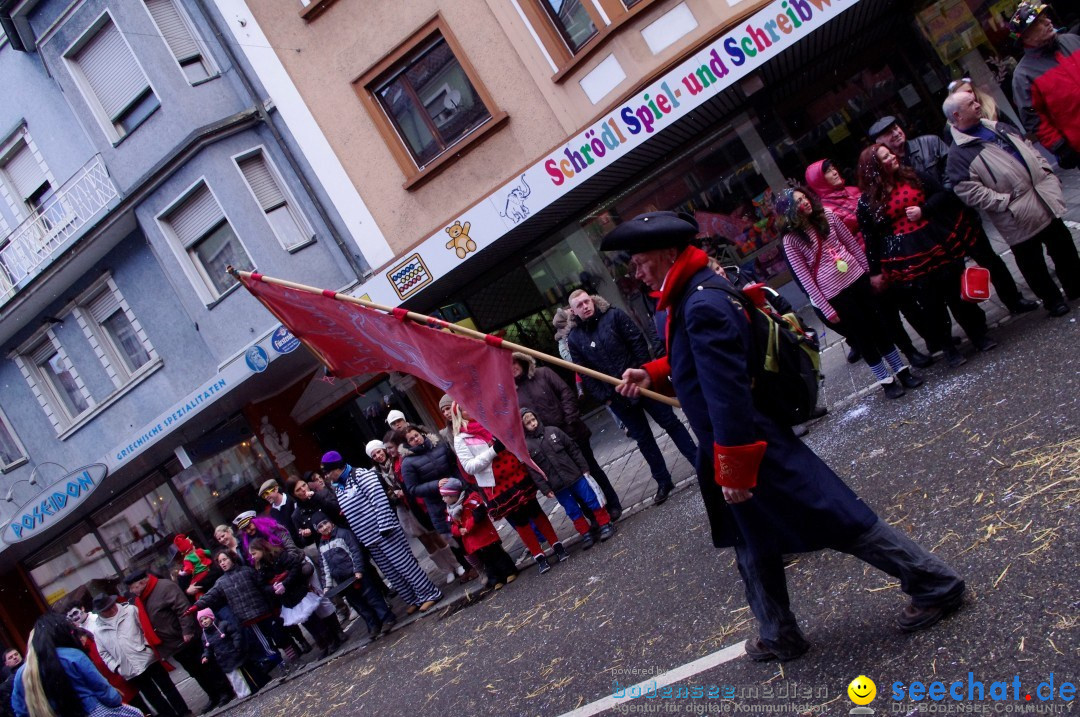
765, 492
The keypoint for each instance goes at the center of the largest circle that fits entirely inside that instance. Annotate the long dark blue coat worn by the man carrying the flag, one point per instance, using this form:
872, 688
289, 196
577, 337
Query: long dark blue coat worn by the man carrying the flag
800, 504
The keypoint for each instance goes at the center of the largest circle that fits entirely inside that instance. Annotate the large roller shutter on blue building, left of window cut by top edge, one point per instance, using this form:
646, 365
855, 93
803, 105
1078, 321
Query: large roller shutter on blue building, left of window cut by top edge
112, 72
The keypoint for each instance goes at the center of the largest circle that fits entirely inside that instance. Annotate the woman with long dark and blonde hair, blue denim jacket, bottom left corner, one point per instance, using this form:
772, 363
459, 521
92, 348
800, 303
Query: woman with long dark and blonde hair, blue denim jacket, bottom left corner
60, 681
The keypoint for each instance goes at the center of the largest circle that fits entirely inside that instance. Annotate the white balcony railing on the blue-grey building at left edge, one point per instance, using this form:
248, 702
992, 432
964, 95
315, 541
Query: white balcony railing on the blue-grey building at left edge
35, 242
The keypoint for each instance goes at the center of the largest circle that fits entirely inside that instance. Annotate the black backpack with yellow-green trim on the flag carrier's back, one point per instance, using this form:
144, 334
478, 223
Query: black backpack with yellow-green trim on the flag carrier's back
786, 366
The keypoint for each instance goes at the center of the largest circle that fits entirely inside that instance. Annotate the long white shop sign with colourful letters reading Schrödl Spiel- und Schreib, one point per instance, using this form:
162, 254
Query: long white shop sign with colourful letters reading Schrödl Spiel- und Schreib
678, 93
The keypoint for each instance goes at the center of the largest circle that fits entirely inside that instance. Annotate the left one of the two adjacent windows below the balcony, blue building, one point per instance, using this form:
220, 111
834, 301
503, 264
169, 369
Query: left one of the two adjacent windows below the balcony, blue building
56, 383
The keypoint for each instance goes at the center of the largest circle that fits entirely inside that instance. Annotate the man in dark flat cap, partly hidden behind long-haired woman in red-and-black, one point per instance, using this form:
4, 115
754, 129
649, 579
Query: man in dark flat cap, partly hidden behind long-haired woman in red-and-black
929, 155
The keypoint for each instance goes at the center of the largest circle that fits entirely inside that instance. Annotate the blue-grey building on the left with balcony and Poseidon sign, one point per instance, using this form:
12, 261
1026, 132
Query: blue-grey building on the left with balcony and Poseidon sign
144, 393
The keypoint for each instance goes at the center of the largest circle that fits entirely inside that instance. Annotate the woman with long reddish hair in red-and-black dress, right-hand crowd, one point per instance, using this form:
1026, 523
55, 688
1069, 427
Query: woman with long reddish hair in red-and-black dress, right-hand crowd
916, 238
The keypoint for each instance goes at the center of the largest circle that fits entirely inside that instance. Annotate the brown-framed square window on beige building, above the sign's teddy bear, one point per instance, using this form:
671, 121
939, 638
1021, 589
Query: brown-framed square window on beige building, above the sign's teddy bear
426, 99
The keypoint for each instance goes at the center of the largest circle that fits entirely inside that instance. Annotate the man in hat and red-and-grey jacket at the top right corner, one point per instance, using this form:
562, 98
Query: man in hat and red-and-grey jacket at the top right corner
1047, 83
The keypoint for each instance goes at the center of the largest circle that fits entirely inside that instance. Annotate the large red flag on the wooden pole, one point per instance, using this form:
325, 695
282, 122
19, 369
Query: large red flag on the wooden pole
353, 341
